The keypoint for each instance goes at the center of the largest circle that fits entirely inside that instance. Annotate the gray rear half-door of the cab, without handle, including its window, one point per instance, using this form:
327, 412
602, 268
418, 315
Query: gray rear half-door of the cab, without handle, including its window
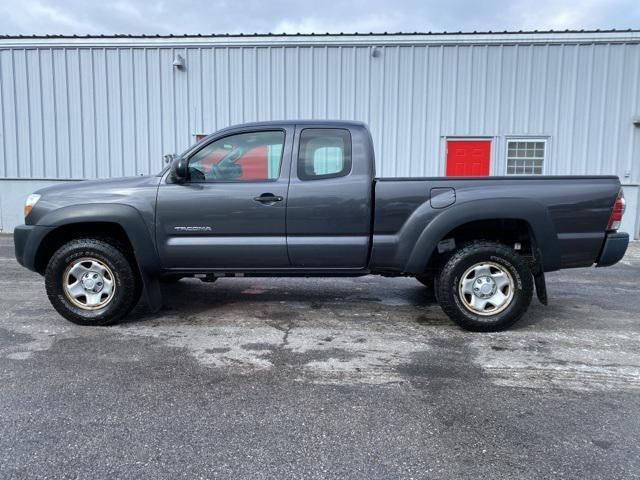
330, 198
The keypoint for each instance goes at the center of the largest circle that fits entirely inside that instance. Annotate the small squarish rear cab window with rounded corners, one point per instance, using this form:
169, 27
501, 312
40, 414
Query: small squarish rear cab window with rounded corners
324, 153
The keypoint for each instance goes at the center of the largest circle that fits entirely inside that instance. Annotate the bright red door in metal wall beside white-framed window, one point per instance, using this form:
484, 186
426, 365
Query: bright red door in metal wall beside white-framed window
468, 158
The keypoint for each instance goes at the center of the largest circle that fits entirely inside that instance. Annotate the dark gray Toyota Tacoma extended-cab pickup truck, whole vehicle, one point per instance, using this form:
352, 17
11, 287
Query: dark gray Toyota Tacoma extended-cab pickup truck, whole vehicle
300, 198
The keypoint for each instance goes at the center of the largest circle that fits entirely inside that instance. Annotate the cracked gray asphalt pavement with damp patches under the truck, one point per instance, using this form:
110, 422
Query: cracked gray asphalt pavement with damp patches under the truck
322, 378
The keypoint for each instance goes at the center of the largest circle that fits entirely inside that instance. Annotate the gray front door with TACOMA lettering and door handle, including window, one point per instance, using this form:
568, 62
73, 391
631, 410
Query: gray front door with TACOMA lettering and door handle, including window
230, 213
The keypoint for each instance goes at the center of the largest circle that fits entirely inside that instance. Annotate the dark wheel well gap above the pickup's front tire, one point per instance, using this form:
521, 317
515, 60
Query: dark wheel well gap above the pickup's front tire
104, 230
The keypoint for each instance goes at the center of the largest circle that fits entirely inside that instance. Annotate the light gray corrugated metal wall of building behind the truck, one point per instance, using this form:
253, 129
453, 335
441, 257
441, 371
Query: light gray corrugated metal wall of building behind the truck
81, 112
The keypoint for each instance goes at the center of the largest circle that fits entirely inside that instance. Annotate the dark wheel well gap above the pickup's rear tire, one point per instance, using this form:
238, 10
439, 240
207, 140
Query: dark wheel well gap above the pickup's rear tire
507, 231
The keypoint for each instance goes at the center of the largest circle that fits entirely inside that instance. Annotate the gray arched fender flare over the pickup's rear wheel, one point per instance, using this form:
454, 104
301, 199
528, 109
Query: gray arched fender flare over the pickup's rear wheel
535, 214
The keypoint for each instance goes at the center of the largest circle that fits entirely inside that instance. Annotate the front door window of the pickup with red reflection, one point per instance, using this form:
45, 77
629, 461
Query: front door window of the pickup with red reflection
245, 157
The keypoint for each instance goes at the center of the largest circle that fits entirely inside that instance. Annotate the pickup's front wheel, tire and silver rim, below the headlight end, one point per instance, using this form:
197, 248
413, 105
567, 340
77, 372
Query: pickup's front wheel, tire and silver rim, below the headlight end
91, 282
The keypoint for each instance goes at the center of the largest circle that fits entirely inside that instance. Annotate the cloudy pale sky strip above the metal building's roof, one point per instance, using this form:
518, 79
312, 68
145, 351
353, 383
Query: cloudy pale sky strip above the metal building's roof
80, 17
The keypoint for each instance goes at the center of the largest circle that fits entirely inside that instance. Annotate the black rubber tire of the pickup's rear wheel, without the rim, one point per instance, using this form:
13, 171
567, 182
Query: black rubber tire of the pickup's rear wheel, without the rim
474, 253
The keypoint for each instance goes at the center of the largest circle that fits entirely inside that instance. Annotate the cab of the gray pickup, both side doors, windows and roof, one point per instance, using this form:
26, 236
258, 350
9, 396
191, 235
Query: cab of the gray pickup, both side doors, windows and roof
270, 196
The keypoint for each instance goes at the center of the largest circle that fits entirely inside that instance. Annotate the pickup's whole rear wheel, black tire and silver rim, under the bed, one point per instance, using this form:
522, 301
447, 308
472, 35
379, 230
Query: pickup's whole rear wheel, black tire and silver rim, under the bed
485, 287
